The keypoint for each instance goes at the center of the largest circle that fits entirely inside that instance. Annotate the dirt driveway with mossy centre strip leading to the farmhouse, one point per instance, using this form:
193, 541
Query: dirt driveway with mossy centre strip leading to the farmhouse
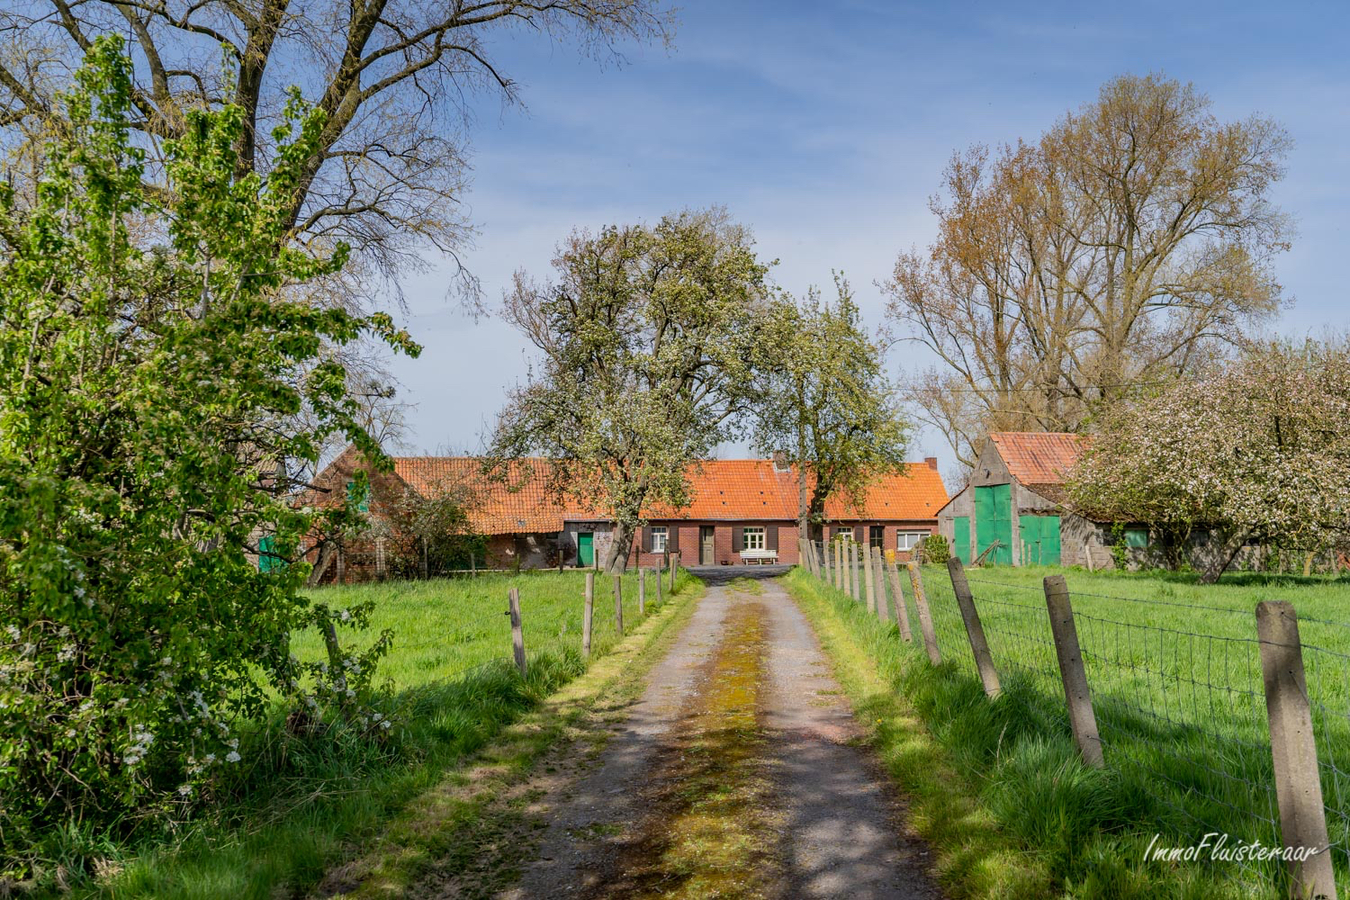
738, 774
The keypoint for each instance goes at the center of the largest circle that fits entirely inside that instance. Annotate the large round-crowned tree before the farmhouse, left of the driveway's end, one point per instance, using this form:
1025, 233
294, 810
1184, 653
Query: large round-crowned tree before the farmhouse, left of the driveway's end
647, 343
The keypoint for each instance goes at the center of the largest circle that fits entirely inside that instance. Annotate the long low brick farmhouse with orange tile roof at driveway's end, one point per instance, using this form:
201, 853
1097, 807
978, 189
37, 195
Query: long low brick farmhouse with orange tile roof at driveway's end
740, 512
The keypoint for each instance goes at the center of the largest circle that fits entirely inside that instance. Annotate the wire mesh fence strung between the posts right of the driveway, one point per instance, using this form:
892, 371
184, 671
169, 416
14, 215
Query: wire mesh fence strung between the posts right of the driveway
1181, 702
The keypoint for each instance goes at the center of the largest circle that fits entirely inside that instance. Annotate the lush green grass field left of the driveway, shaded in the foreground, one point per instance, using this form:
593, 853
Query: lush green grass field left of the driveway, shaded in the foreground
303, 804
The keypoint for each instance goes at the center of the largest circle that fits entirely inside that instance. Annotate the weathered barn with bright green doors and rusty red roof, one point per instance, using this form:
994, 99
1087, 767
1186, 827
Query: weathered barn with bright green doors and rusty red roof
1013, 509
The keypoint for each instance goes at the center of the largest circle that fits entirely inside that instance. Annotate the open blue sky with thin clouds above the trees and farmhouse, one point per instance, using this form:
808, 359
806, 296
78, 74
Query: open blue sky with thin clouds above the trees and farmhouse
826, 128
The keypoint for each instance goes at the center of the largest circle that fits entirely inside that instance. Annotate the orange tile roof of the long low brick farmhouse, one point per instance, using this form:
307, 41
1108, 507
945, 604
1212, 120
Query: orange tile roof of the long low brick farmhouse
736, 489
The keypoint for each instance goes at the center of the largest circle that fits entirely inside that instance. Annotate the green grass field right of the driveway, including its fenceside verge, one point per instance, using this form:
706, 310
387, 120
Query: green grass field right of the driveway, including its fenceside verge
1177, 682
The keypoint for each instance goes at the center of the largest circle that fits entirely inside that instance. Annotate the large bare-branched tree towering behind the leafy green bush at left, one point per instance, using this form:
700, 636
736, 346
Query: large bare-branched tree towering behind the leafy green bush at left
394, 79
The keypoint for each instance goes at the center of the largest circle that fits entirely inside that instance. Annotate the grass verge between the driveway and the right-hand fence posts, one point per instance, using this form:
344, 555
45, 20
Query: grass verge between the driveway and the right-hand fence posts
996, 789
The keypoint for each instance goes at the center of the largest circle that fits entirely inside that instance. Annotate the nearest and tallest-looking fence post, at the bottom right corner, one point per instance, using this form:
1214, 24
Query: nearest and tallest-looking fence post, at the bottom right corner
1298, 785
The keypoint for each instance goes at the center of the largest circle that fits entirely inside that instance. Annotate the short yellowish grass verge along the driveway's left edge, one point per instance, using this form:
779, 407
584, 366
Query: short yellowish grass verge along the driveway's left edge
469, 836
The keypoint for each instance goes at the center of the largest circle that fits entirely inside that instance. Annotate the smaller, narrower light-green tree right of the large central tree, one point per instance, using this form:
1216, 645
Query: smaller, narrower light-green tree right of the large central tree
827, 404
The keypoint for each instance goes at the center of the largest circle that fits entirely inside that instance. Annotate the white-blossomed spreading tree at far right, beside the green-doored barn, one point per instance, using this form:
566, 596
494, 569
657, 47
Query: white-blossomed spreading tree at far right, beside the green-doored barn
1255, 453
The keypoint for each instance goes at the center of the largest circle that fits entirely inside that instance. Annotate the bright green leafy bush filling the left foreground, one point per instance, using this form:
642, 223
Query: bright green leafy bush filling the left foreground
152, 368
